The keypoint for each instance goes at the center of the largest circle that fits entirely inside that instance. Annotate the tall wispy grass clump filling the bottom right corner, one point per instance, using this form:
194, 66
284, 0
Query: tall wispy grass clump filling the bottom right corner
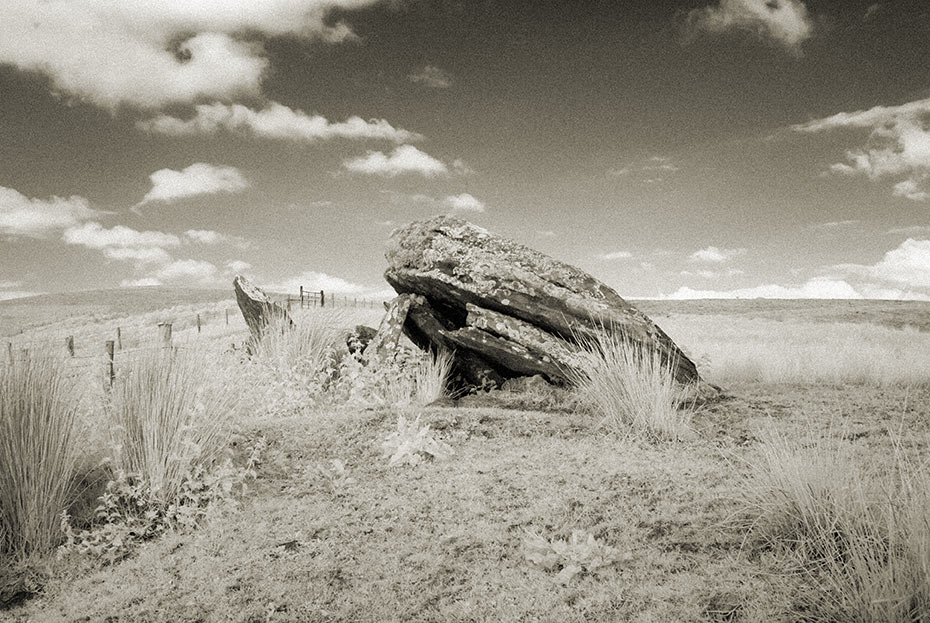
862, 539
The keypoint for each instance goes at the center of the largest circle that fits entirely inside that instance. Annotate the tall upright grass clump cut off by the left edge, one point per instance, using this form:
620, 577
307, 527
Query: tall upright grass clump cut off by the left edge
38, 451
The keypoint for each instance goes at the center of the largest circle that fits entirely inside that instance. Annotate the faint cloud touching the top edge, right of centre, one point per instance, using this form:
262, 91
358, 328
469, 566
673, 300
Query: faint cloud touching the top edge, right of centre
784, 22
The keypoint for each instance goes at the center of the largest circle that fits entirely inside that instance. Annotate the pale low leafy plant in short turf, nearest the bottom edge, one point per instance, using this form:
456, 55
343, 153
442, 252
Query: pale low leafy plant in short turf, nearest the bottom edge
581, 552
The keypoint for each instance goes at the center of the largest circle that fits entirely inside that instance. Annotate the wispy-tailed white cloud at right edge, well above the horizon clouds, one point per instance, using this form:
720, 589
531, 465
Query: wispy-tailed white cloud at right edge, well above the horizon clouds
898, 145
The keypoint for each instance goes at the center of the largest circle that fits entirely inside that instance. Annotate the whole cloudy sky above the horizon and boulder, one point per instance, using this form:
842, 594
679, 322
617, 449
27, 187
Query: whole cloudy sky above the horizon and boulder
680, 149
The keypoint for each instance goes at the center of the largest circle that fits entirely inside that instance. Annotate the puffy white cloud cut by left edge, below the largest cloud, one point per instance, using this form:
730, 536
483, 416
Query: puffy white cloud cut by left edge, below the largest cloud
39, 218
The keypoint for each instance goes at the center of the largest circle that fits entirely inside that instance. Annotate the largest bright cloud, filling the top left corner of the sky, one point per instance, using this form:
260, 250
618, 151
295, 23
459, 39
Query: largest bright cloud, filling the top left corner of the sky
152, 54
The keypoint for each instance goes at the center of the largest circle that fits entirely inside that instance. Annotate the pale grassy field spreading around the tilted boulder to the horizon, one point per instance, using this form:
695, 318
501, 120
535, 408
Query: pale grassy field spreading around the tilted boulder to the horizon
533, 508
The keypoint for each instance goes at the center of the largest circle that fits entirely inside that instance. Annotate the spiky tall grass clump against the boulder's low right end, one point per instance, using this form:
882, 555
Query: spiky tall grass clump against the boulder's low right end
633, 387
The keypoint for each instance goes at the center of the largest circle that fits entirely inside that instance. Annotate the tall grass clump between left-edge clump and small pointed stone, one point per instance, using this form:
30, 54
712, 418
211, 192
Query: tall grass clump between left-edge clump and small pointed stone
168, 413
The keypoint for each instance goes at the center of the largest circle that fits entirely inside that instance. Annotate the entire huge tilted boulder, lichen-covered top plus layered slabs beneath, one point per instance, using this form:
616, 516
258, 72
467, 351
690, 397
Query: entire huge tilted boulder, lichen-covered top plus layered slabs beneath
509, 310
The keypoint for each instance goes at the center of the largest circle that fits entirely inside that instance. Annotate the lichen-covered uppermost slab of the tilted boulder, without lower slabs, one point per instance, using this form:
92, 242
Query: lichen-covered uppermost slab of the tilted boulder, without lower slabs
453, 263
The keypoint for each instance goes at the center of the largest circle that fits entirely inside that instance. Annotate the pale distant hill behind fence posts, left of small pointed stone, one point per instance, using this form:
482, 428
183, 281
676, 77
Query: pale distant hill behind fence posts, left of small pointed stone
34, 311
